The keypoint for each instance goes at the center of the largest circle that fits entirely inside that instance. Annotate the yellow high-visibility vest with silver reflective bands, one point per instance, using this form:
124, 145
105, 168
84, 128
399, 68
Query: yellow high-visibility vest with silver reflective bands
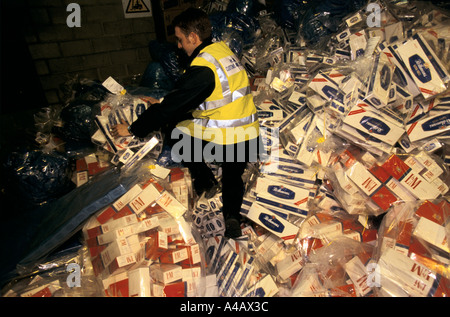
229, 114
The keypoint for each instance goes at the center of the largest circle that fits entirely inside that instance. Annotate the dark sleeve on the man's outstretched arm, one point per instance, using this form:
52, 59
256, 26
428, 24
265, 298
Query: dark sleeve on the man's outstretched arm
191, 90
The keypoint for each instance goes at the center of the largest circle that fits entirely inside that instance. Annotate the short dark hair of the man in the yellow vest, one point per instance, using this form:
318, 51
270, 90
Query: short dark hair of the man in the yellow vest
194, 20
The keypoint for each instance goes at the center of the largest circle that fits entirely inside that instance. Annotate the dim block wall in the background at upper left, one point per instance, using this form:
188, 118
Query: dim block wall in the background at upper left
106, 44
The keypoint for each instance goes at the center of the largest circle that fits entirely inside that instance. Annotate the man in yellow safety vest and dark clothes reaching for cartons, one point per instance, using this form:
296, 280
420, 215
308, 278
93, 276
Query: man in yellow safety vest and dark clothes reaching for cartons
213, 113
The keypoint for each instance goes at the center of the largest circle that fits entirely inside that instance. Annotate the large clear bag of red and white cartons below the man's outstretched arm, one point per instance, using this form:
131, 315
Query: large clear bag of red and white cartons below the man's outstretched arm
144, 243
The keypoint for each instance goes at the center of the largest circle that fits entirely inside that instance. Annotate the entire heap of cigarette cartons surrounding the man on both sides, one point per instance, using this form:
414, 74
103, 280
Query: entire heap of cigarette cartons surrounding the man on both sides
349, 198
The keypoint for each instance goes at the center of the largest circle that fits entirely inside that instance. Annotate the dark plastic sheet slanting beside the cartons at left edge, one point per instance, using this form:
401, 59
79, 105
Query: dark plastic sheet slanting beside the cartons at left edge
61, 219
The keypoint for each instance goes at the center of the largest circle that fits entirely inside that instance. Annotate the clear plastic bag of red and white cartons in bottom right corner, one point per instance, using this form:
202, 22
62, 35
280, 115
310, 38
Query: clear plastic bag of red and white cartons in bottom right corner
413, 250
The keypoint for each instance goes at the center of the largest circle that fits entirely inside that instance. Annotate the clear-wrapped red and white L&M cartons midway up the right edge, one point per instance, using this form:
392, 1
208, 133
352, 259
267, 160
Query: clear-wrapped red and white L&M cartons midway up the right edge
368, 185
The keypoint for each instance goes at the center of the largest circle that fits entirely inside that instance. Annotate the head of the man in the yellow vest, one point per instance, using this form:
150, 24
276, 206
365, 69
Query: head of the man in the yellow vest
192, 27
